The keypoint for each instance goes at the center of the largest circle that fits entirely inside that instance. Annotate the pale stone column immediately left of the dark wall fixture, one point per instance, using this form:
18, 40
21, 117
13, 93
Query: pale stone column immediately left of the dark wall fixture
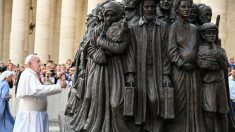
17, 37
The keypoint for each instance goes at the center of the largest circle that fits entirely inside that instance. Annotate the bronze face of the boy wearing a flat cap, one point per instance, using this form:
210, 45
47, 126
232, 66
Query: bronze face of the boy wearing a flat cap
210, 35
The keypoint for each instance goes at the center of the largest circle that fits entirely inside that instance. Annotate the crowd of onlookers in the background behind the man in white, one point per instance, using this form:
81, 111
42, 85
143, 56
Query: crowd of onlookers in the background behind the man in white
50, 73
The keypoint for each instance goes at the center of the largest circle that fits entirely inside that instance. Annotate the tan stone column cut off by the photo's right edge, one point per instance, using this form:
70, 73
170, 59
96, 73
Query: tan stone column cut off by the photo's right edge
230, 29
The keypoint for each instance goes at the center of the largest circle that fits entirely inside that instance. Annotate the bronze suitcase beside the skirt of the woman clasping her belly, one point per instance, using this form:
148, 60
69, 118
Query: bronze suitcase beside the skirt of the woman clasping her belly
167, 103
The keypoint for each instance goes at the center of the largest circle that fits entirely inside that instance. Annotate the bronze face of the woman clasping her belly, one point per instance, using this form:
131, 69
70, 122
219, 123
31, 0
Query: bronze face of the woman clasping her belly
184, 9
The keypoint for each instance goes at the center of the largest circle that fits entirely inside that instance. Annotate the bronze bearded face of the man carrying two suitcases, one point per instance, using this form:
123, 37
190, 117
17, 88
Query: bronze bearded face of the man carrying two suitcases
149, 9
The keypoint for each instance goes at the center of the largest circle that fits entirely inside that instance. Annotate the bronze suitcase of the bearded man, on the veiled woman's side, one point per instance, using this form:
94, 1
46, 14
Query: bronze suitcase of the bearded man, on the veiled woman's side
129, 94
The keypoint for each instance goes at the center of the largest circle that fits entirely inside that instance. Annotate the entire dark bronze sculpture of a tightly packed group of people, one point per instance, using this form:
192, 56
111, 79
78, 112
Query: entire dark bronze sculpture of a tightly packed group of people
150, 66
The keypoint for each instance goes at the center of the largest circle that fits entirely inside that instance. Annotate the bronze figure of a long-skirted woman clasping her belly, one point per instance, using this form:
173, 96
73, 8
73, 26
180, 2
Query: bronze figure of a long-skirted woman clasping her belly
182, 47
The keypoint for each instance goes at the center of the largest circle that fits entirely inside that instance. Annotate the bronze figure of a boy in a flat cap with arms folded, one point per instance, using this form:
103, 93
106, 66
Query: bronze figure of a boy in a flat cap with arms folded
213, 62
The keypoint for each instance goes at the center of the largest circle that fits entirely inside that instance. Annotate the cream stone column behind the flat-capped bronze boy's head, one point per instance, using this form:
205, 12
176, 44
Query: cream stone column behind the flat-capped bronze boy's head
219, 8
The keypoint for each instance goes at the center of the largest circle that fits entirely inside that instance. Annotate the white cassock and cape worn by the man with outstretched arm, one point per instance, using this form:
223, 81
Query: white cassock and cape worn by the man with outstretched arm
32, 115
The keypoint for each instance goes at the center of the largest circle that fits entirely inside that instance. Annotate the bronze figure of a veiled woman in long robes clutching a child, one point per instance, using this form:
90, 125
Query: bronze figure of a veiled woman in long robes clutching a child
101, 109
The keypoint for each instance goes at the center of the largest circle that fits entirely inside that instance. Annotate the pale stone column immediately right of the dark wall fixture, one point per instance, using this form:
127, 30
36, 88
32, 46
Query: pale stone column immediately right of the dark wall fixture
42, 33
